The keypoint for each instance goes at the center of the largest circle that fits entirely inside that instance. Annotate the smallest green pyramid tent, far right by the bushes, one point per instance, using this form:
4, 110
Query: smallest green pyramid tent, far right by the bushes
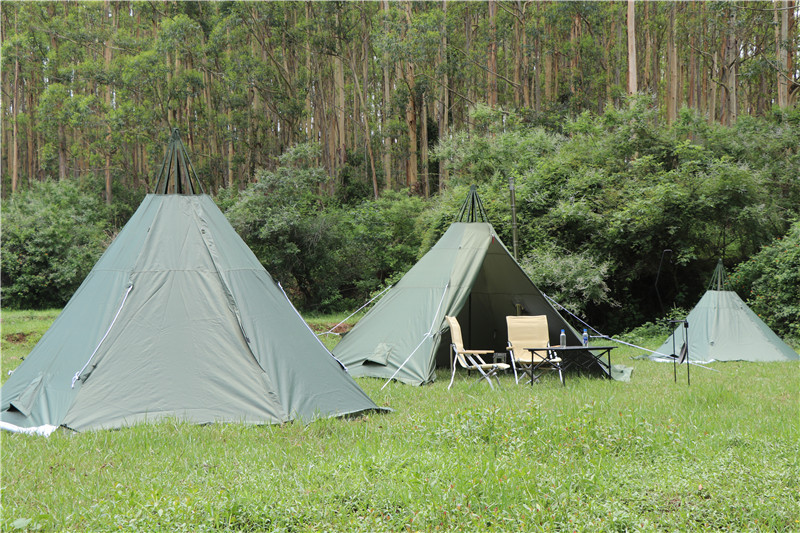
723, 328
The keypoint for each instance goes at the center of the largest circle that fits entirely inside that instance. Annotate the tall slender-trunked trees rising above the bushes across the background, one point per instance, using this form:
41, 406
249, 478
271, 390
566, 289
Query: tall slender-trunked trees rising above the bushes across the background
95, 87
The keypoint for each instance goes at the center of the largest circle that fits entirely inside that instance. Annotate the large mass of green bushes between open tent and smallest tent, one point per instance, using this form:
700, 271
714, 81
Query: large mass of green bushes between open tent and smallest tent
619, 189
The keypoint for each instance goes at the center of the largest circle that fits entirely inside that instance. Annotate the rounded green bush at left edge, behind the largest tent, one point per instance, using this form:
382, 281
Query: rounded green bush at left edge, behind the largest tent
53, 234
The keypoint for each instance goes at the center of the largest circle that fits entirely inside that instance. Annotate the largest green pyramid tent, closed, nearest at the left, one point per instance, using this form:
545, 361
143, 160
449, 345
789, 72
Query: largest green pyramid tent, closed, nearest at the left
178, 319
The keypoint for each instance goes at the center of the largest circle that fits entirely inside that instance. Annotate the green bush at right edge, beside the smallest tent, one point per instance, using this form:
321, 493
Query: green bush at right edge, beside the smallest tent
771, 281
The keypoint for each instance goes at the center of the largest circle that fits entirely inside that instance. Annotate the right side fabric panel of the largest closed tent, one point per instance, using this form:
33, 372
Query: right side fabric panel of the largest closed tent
268, 321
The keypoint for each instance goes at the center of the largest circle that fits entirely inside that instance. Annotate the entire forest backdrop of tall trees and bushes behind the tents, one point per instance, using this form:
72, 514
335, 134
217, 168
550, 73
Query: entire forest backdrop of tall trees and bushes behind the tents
643, 140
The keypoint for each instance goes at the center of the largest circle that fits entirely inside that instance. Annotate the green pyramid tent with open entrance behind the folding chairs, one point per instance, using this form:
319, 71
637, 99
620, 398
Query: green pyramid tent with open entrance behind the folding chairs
468, 274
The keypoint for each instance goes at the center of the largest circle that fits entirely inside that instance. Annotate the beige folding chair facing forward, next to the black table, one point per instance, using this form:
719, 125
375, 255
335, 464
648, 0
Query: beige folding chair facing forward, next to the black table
524, 333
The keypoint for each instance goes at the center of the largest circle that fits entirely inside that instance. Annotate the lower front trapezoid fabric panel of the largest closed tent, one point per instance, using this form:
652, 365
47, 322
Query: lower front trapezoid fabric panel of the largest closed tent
180, 354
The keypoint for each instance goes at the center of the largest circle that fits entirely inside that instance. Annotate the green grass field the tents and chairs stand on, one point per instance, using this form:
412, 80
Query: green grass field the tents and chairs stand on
596, 455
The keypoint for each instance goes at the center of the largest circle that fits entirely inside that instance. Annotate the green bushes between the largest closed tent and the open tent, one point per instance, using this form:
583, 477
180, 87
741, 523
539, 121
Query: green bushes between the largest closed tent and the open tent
329, 256
